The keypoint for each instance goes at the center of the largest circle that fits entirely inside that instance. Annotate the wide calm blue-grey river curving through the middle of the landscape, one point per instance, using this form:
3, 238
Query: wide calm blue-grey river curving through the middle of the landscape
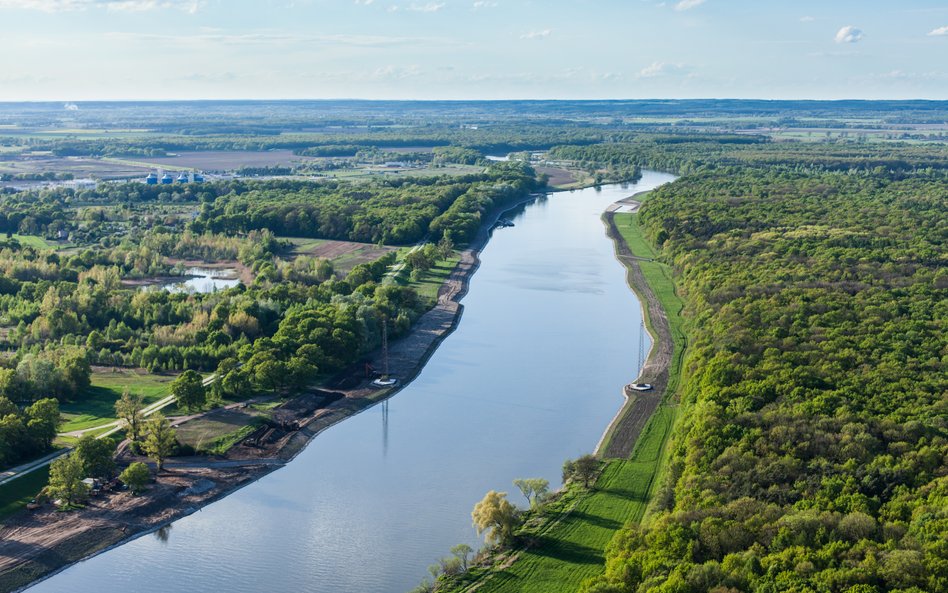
531, 377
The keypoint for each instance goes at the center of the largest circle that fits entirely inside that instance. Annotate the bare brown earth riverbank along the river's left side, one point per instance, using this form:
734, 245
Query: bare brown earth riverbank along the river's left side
37, 545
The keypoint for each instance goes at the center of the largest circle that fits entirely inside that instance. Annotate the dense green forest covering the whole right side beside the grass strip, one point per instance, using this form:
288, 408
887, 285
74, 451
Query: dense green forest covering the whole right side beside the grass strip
812, 455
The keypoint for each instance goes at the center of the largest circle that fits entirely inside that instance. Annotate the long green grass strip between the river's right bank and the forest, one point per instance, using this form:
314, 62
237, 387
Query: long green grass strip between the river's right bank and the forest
572, 549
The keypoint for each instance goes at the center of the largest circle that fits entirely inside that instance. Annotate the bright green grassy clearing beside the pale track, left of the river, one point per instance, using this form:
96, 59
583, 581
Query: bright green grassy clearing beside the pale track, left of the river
98, 405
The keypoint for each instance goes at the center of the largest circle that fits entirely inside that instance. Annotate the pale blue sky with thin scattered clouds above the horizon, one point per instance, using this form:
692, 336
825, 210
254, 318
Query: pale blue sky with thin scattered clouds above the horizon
472, 49
